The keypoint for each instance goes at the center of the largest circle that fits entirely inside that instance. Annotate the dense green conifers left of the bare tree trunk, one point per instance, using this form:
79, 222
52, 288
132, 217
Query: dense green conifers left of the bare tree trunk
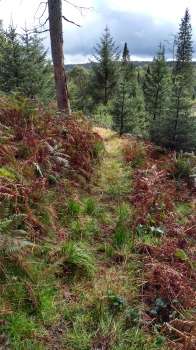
24, 65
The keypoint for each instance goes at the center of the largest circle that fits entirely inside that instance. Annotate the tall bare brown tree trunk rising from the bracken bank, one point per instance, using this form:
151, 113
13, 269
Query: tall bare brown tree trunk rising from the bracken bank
56, 36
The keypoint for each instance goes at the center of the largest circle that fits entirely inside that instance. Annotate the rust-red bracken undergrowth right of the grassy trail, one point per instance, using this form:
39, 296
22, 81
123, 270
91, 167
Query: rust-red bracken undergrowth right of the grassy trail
165, 227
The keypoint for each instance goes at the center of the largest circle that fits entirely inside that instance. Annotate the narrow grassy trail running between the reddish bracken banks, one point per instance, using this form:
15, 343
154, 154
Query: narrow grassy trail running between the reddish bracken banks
106, 311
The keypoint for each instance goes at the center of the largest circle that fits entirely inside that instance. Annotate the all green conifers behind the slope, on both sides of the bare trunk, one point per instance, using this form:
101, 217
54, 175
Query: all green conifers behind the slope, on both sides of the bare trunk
154, 101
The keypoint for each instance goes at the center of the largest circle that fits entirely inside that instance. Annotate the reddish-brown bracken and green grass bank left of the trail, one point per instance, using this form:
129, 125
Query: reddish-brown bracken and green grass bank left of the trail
42, 156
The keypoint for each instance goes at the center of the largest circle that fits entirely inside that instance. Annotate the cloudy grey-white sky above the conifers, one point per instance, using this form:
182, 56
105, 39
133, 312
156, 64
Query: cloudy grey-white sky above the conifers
142, 23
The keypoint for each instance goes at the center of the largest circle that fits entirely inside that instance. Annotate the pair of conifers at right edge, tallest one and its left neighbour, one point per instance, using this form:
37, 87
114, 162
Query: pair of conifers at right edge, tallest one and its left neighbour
168, 101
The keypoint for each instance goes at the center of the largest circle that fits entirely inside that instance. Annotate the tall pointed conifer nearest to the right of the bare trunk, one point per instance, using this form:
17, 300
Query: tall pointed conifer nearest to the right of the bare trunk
105, 71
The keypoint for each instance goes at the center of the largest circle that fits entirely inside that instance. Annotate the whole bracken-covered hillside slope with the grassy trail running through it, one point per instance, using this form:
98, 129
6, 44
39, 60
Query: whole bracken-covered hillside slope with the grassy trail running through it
105, 258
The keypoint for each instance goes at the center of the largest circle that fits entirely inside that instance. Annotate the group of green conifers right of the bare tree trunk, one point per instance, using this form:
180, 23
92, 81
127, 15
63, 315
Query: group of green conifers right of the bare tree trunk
155, 102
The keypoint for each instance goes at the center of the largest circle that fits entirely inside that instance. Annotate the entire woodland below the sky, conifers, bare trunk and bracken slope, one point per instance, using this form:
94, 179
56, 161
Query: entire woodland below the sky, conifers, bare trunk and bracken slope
97, 194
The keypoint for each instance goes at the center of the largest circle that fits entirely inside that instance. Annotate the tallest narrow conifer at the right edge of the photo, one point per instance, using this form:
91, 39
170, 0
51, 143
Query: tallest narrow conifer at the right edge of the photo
180, 127
